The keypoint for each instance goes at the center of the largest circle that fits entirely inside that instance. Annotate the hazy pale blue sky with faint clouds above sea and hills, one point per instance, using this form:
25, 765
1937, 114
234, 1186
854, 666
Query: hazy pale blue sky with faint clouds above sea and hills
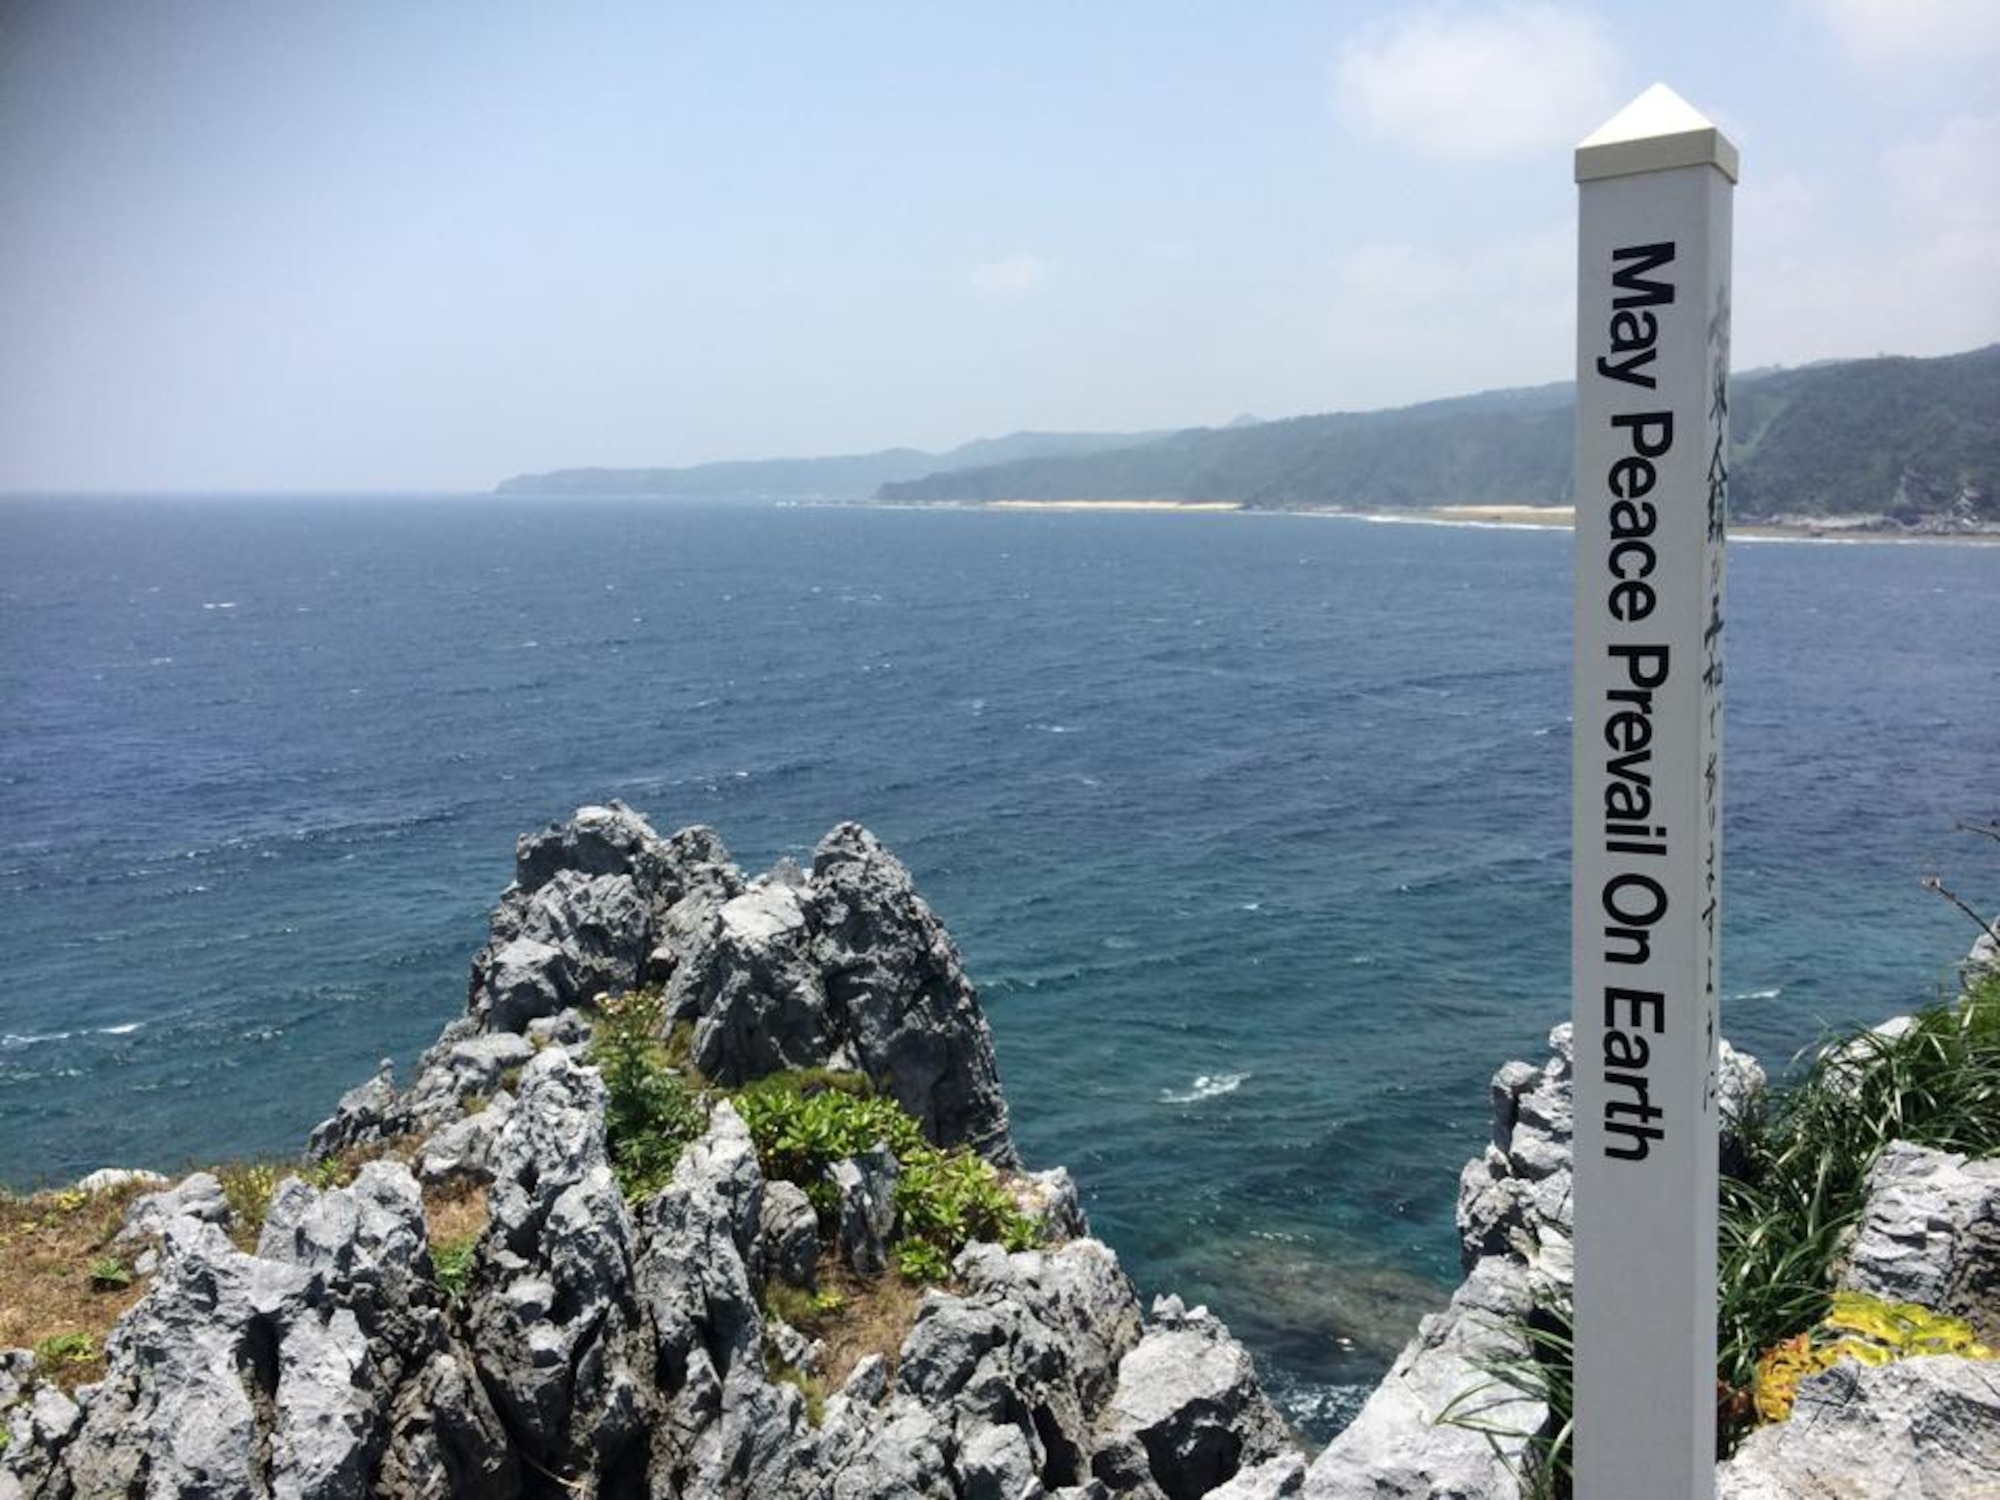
311, 245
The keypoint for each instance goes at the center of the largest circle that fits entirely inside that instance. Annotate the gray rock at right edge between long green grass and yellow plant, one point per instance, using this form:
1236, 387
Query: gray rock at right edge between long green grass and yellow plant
1931, 1235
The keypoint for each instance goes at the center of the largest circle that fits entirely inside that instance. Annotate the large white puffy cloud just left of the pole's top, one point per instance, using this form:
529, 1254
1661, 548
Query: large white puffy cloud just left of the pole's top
1477, 87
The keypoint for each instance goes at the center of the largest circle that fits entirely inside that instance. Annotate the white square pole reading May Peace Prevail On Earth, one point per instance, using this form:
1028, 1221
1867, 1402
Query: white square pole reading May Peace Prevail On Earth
1653, 351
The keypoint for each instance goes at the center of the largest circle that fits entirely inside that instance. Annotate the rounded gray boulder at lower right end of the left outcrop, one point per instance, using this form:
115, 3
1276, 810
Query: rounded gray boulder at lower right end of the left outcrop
1189, 1395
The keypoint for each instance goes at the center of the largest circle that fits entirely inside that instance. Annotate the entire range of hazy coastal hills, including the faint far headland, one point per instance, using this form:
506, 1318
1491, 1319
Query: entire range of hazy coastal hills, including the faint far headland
1897, 439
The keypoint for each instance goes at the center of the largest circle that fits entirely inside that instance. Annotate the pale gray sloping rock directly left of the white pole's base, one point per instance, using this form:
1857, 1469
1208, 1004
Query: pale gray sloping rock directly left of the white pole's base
1399, 1447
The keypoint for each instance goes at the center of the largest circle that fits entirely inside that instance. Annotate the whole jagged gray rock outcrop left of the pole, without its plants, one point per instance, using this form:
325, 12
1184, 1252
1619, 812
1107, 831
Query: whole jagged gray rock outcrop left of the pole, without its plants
589, 1345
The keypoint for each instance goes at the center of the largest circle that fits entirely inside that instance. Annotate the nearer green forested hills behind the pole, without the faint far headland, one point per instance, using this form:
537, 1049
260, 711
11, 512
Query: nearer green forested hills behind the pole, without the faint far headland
1865, 437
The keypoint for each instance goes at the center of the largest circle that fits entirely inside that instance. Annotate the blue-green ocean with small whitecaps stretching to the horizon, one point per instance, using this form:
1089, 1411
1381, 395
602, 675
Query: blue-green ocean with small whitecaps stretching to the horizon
1253, 829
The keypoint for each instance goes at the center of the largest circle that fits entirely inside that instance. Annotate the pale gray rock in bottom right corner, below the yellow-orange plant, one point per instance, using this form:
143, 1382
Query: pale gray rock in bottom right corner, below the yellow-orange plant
1923, 1429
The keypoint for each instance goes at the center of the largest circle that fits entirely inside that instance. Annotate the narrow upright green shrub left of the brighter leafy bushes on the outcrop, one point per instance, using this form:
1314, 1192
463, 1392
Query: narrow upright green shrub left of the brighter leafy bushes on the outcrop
651, 1115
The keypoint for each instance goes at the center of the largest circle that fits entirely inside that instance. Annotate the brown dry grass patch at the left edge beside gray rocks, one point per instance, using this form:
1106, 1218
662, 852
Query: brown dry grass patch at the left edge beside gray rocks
61, 1281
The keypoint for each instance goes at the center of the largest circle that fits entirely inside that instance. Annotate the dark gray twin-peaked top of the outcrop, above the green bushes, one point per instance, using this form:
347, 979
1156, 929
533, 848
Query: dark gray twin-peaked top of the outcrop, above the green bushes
841, 967
